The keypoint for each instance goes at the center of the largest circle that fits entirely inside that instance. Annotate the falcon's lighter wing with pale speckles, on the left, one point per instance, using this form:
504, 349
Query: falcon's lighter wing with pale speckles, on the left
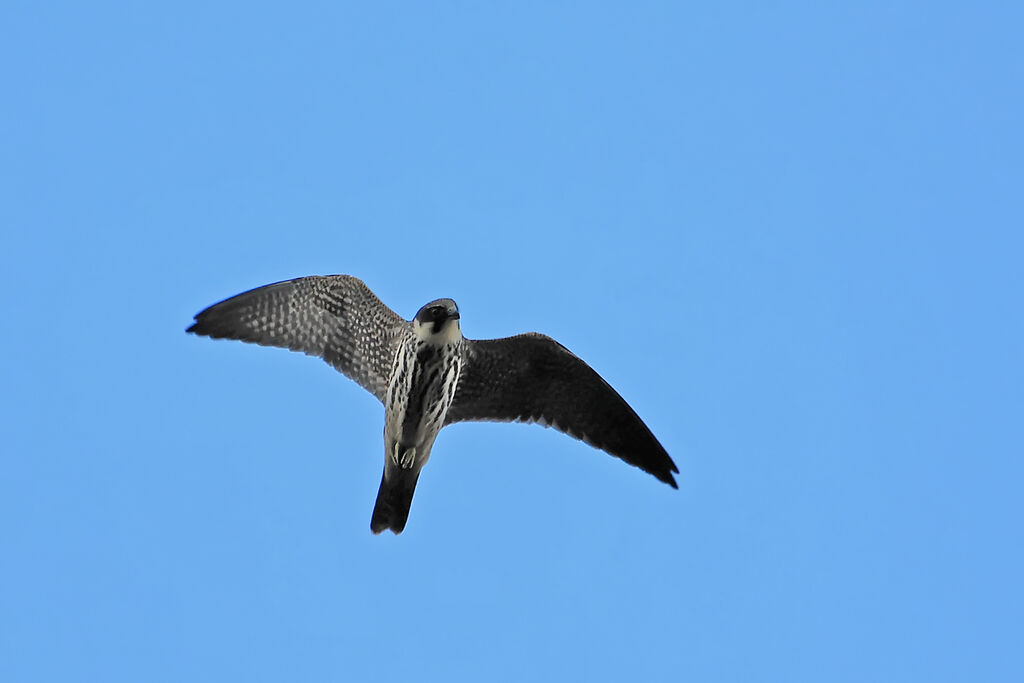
336, 318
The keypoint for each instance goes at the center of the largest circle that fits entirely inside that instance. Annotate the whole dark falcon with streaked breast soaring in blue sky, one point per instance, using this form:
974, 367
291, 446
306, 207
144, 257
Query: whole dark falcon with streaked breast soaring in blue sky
430, 376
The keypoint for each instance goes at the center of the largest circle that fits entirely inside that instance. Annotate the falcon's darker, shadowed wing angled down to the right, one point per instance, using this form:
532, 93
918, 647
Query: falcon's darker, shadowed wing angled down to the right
533, 378
